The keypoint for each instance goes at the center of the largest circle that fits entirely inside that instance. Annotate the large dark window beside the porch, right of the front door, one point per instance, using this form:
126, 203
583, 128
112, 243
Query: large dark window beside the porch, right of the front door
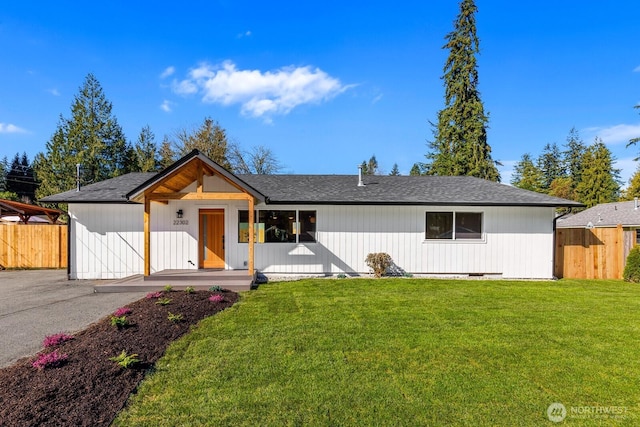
278, 226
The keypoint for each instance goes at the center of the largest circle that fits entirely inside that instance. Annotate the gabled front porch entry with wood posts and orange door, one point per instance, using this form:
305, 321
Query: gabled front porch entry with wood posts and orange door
189, 219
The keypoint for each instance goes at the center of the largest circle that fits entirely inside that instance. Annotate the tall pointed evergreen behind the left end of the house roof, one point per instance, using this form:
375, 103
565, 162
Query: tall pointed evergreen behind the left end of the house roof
92, 138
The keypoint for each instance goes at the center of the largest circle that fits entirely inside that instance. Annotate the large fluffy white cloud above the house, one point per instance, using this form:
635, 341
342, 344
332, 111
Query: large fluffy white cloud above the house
260, 94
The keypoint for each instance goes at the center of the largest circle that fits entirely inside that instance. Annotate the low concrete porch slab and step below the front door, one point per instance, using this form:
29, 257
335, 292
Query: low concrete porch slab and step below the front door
203, 279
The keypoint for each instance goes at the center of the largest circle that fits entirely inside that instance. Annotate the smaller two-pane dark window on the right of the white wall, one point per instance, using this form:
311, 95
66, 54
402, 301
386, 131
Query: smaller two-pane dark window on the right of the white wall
453, 225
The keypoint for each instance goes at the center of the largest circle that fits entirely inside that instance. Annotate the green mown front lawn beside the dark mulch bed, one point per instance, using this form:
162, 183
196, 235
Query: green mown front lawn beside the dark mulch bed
392, 352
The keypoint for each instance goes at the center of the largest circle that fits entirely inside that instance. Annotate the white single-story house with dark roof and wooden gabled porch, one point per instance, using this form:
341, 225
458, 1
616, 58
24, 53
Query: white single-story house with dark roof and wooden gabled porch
197, 215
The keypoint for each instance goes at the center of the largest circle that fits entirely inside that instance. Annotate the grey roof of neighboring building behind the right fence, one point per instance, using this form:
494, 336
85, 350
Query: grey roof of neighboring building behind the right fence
605, 215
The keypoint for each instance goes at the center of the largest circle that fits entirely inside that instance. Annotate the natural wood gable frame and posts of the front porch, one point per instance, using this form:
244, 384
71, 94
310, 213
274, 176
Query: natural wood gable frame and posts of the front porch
171, 183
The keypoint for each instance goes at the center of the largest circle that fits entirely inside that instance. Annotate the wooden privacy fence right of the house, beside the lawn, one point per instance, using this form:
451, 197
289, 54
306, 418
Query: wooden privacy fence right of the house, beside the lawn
595, 253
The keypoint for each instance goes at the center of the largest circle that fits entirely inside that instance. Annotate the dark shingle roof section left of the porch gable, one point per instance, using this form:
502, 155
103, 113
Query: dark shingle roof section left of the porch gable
112, 190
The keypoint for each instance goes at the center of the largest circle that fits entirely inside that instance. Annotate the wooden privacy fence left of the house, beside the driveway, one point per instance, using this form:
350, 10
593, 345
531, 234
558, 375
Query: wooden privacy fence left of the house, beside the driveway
33, 246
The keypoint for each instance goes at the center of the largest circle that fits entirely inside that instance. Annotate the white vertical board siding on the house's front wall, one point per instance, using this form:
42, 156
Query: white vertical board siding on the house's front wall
107, 241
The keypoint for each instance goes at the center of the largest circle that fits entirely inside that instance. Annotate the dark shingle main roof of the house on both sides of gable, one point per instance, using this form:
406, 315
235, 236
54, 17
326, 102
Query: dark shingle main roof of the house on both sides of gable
343, 189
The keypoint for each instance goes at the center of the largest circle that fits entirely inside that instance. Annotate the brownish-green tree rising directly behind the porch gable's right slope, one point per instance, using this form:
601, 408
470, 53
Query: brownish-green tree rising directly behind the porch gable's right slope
210, 139
